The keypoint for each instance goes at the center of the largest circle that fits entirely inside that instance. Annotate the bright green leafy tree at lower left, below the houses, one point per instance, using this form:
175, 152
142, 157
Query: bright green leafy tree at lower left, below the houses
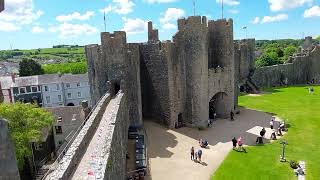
25, 124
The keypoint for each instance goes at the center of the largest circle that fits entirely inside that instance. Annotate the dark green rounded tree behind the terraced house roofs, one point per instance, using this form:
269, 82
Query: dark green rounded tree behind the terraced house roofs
29, 67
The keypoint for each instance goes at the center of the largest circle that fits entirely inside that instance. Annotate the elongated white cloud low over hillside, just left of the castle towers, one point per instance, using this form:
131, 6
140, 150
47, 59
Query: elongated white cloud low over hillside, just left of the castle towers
68, 30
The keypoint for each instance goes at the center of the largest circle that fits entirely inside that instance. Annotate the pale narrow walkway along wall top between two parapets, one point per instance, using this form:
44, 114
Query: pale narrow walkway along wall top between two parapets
92, 161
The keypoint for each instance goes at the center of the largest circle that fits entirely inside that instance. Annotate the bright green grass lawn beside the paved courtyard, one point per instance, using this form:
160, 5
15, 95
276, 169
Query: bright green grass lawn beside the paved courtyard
301, 111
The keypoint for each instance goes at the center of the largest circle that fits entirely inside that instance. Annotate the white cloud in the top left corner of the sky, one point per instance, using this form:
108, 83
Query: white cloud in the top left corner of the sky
20, 12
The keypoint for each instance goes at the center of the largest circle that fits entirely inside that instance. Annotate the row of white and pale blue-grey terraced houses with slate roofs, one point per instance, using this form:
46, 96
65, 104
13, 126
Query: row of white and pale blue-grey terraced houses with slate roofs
50, 90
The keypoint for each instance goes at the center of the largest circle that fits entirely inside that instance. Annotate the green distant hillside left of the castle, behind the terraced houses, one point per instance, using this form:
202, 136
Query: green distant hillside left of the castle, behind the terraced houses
60, 59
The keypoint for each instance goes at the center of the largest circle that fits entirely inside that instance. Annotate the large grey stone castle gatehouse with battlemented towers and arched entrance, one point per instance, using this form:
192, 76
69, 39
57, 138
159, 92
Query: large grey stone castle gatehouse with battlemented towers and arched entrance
183, 81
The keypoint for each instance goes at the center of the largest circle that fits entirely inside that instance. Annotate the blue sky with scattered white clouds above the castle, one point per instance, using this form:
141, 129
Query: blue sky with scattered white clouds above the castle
27, 24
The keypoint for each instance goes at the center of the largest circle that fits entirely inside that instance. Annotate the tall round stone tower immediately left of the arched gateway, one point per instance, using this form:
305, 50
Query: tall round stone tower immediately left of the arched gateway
192, 43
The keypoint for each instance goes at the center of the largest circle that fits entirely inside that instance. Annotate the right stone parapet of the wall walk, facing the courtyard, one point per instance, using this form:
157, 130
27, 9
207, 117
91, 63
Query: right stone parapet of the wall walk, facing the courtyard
115, 168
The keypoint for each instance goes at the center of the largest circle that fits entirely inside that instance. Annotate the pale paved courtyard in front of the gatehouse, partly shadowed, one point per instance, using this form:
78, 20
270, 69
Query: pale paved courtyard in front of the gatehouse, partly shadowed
169, 150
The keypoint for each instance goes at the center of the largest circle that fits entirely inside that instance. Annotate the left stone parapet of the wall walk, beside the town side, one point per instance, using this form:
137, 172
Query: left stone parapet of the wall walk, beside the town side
69, 162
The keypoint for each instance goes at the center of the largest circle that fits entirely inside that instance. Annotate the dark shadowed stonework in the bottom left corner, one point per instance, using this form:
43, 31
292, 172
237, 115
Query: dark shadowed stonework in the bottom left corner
8, 162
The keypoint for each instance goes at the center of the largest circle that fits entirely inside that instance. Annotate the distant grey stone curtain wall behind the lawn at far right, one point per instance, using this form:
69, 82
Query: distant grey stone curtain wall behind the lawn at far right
303, 69
